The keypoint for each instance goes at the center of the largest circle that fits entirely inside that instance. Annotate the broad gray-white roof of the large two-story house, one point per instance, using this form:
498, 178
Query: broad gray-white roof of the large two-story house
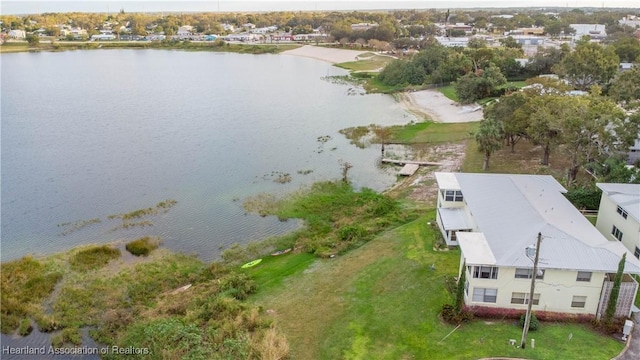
510, 210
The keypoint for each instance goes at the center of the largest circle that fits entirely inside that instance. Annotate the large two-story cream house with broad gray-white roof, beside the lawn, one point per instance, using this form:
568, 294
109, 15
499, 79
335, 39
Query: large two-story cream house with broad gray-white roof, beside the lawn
495, 217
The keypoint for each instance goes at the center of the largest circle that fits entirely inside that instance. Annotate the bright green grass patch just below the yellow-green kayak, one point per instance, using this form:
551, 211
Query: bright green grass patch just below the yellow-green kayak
272, 270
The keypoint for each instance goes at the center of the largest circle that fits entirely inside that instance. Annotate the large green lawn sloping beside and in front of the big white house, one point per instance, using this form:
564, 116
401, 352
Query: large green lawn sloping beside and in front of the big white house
381, 301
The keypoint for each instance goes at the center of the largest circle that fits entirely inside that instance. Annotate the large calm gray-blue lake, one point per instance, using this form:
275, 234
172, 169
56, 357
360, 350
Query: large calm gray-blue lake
88, 134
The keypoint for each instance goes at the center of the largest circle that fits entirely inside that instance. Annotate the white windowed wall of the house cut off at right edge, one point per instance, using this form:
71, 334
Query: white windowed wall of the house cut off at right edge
608, 217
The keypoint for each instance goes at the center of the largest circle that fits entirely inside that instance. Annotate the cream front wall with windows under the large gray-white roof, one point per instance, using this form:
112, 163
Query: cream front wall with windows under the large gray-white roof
556, 291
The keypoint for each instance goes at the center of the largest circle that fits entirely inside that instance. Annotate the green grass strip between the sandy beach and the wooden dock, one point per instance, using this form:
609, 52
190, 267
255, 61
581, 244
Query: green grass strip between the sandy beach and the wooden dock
430, 132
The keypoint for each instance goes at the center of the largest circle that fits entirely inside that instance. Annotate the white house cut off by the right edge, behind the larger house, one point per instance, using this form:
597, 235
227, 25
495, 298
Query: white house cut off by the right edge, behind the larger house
619, 214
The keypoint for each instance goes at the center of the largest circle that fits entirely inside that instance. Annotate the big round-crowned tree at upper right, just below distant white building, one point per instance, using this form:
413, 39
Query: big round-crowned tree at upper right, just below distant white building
588, 64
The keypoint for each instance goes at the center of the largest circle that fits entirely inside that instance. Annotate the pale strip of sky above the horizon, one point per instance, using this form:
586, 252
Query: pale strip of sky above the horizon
13, 7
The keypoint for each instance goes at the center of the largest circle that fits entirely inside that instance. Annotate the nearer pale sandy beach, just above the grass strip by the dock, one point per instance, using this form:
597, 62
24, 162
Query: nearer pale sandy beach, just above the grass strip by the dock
439, 108
